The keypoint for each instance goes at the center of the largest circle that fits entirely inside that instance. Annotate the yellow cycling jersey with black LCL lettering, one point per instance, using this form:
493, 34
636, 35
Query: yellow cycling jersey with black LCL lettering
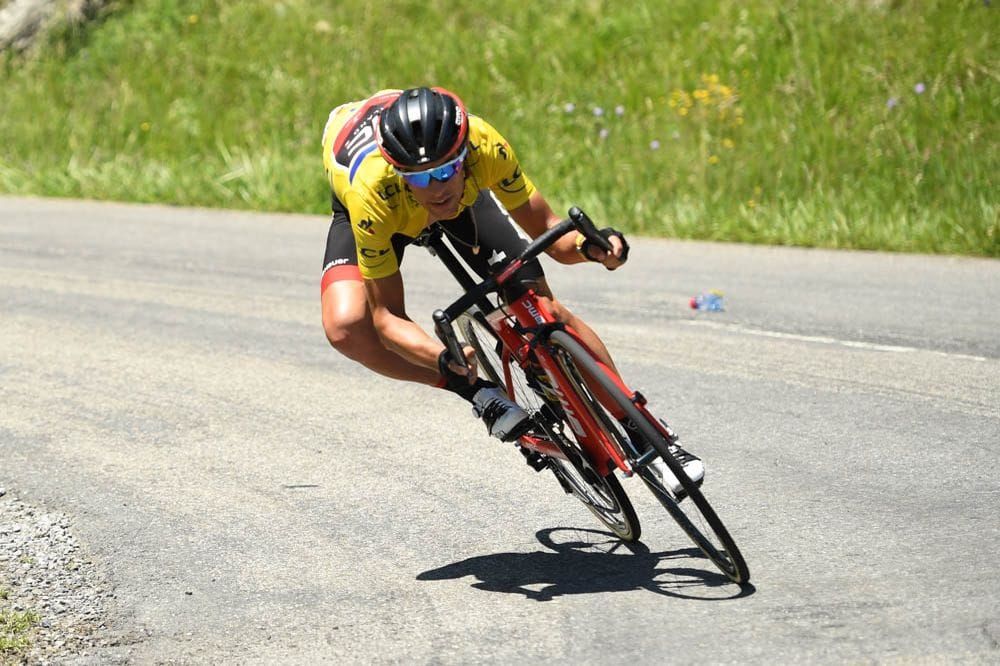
378, 201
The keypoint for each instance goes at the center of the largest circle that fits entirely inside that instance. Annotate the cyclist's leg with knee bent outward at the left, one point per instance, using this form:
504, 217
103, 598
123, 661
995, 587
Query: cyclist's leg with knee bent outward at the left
347, 320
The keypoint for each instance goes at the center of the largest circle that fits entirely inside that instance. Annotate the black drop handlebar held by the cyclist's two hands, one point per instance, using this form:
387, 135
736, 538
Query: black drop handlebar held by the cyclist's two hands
443, 318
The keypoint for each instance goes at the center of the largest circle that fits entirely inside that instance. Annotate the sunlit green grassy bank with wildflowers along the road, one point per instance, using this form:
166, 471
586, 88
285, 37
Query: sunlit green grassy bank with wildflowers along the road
837, 123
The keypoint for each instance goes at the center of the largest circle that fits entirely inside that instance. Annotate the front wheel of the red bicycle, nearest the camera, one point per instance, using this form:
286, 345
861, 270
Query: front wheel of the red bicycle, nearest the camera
696, 518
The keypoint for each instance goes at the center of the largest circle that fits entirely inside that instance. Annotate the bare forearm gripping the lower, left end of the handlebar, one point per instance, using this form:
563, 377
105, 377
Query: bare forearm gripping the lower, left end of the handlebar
397, 330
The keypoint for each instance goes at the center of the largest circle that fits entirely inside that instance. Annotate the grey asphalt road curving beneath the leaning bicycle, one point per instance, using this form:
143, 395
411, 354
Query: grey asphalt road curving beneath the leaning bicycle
254, 497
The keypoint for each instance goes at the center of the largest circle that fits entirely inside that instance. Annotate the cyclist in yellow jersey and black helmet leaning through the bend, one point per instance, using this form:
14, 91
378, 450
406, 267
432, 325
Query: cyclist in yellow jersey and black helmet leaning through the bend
396, 163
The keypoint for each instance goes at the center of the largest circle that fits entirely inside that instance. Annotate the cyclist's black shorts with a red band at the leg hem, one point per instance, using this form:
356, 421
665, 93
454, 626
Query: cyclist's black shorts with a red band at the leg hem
484, 224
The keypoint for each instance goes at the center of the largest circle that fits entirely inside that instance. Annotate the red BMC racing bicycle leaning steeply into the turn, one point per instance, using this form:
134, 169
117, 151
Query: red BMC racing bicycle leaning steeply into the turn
554, 376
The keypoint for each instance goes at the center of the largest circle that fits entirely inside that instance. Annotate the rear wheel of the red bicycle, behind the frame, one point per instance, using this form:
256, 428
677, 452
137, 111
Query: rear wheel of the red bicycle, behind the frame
603, 495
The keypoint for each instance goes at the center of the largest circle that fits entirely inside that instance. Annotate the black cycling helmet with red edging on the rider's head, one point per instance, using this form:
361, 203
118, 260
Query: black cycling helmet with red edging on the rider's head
422, 125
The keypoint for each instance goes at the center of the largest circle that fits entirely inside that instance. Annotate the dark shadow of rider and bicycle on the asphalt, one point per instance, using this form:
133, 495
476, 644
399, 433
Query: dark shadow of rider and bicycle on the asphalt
588, 567
